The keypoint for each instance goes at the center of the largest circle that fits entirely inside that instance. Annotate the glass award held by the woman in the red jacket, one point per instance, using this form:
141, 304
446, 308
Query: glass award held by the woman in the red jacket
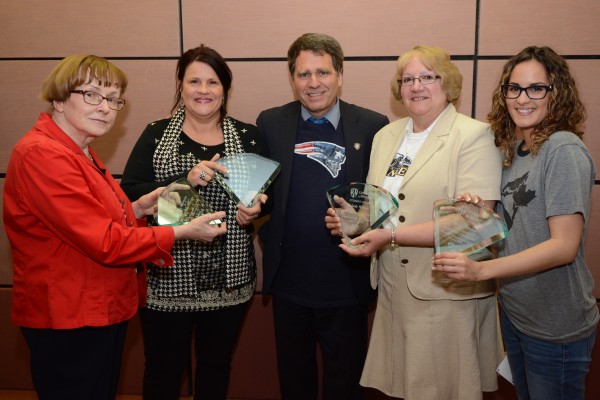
179, 203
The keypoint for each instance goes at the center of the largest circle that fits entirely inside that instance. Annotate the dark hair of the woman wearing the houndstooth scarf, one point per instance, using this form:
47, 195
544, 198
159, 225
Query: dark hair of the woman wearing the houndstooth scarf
208, 56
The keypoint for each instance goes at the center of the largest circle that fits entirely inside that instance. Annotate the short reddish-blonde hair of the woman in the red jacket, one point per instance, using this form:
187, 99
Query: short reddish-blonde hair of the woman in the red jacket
76, 70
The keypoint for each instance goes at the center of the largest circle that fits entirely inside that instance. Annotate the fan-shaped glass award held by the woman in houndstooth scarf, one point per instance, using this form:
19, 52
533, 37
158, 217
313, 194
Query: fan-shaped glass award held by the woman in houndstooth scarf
249, 175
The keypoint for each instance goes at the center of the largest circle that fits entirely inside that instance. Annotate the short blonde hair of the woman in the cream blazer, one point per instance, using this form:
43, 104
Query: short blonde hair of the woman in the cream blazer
436, 59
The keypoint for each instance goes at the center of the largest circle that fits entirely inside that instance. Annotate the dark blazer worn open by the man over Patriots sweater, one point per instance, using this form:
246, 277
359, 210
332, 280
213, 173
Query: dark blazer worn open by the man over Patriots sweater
278, 126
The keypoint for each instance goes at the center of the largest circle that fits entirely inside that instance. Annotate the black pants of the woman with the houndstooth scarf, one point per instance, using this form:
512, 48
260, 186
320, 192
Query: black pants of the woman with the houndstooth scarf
167, 346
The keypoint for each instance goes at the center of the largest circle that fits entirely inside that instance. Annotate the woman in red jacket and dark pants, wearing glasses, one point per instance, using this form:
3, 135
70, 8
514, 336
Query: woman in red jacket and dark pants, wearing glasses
75, 237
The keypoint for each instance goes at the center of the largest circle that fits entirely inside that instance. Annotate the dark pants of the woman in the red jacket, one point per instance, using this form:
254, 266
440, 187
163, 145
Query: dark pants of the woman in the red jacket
75, 364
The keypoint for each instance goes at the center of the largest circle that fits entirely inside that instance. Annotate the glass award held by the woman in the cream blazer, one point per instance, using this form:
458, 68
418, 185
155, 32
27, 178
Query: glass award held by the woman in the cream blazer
360, 207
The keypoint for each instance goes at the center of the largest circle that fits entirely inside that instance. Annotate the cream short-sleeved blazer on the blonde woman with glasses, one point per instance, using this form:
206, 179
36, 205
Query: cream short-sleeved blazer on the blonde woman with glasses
458, 156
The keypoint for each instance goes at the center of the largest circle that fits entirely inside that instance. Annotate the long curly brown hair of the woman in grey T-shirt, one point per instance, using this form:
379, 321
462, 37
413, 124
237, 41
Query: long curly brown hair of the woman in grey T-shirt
566, 112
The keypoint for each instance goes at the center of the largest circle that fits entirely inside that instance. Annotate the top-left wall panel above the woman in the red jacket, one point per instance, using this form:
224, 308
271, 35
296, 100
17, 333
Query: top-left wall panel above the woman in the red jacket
112, 28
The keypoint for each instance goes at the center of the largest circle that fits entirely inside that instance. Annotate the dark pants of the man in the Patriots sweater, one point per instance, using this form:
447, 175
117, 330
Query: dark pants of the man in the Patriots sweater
342, 334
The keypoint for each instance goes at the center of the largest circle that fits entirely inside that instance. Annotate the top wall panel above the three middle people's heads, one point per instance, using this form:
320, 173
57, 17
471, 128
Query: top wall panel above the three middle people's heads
259, 28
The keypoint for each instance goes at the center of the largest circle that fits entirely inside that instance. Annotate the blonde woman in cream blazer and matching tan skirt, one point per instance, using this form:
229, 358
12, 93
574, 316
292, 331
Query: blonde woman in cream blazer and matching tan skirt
432, 338
